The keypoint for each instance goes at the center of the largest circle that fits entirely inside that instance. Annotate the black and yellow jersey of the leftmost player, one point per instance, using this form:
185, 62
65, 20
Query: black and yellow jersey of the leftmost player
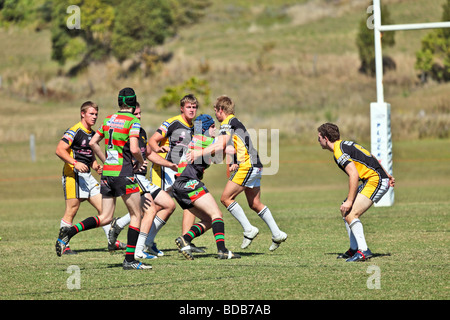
78, 137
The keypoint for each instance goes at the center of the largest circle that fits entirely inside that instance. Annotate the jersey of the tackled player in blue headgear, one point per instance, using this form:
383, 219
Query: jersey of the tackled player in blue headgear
195, 170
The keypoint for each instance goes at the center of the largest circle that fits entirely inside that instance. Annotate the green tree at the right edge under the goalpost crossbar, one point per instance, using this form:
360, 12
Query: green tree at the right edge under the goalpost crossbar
434, 57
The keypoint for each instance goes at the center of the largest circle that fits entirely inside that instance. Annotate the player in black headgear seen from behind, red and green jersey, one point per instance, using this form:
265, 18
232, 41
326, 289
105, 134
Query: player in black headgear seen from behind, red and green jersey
121, 132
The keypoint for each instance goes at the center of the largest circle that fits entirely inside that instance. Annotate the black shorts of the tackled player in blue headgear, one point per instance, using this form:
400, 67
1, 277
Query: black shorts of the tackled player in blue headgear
186, 190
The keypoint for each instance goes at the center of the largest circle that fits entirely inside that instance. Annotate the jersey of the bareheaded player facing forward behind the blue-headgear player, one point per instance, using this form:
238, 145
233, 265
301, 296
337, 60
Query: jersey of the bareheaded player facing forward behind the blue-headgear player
177, 134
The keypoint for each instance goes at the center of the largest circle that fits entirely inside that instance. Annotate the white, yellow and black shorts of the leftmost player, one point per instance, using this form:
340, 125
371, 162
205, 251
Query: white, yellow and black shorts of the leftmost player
80, 185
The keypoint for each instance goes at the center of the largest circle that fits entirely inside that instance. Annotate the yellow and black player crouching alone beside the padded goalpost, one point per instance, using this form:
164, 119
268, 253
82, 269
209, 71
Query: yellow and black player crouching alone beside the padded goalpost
360, 165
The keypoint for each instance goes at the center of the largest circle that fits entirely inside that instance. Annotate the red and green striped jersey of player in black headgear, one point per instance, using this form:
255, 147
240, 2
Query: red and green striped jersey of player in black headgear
117, 130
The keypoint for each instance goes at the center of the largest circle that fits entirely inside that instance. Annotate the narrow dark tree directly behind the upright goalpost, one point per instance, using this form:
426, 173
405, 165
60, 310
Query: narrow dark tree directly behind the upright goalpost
366, 43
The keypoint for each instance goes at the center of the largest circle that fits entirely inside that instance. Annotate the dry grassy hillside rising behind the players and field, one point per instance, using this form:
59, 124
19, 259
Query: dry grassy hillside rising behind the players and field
290, 65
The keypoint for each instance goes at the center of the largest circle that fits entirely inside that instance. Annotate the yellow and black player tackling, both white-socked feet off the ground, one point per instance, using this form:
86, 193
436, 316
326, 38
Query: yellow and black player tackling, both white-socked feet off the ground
246, 173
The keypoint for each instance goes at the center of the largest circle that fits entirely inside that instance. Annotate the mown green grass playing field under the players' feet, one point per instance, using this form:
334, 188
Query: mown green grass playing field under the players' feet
410, 239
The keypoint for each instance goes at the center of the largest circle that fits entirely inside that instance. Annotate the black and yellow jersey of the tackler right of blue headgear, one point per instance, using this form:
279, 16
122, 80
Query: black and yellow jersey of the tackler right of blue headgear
246, 155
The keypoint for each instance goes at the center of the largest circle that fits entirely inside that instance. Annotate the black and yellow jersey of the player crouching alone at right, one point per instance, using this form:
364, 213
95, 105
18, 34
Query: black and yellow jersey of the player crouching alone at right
366, 164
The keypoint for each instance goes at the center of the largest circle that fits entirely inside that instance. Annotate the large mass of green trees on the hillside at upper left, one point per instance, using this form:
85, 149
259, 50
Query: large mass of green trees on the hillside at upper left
120, 28
